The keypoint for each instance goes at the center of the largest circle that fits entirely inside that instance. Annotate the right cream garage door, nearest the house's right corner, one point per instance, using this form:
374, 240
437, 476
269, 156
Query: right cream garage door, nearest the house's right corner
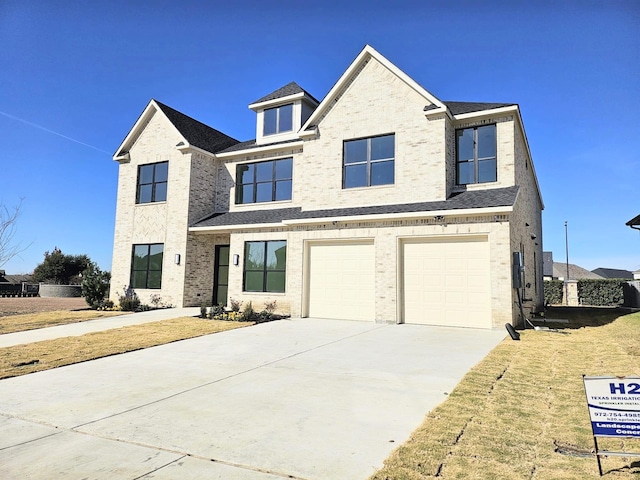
446, 282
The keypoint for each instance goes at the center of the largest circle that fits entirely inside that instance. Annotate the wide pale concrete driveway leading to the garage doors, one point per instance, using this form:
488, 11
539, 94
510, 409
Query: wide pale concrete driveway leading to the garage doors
302, 399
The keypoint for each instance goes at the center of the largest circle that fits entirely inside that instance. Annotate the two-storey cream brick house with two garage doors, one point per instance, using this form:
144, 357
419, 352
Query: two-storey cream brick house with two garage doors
380, 203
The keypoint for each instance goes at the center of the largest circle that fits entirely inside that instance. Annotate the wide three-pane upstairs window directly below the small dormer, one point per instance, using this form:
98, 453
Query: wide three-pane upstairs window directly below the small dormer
264, 181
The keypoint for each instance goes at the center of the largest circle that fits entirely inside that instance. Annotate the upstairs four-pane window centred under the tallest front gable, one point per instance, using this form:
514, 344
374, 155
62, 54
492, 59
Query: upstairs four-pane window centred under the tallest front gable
368, 162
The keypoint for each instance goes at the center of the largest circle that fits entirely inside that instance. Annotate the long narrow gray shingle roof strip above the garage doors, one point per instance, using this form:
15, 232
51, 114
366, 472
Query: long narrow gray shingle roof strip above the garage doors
497, 197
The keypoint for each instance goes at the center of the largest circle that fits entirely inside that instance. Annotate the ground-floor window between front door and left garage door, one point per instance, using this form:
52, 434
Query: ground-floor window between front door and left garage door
265, 266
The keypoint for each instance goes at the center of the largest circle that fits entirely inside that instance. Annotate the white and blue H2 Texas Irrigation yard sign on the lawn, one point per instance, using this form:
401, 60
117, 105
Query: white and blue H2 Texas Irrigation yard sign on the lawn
614, 409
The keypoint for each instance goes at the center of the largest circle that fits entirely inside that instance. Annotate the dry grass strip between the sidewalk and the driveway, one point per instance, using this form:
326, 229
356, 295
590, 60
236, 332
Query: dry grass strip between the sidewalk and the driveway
38, 356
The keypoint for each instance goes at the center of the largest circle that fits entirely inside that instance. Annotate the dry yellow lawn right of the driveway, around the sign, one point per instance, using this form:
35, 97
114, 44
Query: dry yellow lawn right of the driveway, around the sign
521, 413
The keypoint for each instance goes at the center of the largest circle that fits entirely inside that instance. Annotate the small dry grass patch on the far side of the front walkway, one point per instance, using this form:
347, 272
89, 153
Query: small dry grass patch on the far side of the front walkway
32, 321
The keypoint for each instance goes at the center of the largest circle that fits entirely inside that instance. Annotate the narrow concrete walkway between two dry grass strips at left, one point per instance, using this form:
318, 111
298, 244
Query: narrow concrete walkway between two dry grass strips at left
107, 323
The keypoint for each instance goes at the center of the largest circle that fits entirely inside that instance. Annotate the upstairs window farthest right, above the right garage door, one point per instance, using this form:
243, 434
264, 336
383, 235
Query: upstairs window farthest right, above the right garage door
476, 155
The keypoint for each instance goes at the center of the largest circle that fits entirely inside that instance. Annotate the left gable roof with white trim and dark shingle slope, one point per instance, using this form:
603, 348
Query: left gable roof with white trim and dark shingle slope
193, 133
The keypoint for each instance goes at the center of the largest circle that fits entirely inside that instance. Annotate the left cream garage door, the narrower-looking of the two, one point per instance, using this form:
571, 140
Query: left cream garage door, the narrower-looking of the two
341, 281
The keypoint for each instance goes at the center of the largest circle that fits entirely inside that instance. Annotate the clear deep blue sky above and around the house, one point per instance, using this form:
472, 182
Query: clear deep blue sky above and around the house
76, 75
